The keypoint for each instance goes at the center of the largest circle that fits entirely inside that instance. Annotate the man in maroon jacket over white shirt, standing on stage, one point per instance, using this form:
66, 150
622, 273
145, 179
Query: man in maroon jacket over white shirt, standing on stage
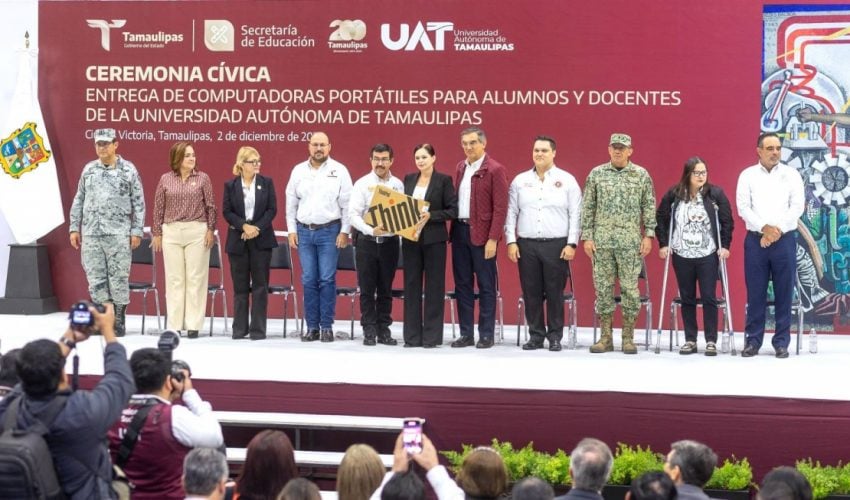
482, 191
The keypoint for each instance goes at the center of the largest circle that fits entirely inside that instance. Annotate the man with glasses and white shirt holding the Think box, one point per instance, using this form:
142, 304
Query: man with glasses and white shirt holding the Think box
377, 250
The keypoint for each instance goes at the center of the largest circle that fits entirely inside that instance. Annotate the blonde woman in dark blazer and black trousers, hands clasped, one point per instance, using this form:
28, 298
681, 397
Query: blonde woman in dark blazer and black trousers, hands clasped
249, 208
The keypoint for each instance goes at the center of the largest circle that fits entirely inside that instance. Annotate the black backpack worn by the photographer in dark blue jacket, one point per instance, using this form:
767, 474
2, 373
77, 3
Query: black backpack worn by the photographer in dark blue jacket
26, 465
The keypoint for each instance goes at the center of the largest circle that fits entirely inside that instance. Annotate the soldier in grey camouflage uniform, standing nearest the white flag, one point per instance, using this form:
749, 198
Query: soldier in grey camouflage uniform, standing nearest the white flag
108, 211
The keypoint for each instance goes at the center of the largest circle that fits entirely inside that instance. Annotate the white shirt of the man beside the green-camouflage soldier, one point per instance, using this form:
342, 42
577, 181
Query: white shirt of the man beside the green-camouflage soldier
550, 208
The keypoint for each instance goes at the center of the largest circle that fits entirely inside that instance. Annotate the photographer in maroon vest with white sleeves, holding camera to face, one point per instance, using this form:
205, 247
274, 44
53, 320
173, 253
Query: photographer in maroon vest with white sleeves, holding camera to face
153, 435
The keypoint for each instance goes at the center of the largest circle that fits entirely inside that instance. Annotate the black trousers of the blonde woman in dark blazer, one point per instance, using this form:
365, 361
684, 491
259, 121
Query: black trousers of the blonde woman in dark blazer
250, 274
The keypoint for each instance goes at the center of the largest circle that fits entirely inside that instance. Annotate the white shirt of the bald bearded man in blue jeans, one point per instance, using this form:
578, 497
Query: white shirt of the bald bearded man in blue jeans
318, 195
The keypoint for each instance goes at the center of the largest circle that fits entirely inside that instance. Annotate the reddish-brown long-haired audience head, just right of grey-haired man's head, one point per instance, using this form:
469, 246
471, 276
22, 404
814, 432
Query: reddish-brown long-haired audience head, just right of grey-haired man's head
269, 465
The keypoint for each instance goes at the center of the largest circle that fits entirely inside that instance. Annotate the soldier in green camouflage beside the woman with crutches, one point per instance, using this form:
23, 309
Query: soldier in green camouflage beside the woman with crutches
617, 226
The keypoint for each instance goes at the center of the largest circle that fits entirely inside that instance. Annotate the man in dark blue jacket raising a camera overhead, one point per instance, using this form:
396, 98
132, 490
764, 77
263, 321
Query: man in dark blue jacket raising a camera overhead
77, 437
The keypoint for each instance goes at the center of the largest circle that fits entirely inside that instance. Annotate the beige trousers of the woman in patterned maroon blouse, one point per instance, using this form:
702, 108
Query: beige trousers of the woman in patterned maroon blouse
187, 274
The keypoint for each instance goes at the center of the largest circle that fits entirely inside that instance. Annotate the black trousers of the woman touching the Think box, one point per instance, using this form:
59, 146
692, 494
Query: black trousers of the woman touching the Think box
428, 263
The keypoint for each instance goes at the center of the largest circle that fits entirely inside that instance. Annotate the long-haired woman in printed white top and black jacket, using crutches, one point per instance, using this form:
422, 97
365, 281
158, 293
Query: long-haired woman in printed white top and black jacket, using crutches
693, 240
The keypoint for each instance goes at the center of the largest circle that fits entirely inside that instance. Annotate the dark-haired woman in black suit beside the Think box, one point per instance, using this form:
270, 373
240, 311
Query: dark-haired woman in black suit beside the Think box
426, 258
